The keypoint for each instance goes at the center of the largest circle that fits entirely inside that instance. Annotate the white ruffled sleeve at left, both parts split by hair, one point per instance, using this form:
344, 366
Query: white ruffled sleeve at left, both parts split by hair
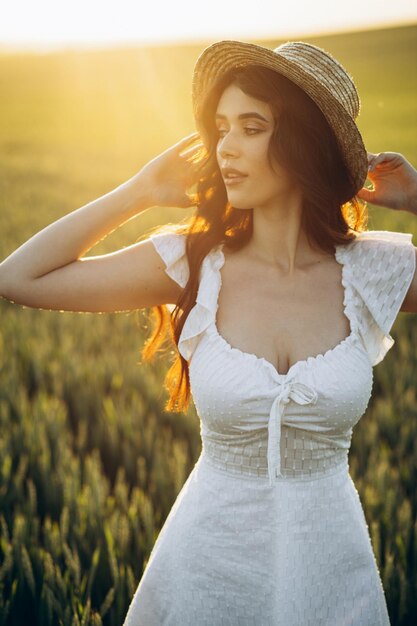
171, 248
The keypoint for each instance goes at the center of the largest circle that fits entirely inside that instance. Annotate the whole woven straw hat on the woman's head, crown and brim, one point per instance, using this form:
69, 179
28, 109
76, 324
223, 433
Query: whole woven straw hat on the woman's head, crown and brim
311, 68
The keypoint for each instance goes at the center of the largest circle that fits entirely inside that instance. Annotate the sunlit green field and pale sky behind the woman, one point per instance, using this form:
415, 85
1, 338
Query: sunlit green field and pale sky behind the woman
90, 463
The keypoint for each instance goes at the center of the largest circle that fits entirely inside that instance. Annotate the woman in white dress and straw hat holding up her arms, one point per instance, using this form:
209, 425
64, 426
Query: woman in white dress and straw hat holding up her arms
283, 306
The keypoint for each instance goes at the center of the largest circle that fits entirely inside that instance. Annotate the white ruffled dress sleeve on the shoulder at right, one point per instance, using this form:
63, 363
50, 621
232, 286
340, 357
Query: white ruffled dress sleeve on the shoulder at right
378, 269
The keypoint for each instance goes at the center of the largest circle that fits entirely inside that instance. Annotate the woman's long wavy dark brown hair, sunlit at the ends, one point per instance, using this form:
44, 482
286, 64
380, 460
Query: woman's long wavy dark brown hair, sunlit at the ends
307, 148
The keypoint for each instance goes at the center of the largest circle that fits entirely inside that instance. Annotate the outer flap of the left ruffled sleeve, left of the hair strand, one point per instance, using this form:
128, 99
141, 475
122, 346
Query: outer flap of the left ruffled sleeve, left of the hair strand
171, 249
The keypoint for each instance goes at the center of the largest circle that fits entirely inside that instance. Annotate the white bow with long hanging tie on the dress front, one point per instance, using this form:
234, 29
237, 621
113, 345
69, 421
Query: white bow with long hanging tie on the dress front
297, 392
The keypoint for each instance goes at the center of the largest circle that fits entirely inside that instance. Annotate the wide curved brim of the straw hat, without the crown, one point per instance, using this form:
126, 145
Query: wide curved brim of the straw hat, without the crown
216, 60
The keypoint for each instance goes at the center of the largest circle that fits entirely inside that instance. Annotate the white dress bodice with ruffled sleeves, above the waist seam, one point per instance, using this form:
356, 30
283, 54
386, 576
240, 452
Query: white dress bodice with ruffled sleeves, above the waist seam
259, 423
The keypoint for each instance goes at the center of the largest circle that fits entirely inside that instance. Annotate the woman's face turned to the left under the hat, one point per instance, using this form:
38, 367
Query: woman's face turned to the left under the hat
245, 126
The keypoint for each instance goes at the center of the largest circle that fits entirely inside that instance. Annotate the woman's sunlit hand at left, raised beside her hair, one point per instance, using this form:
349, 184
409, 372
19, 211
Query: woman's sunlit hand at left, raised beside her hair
167, 177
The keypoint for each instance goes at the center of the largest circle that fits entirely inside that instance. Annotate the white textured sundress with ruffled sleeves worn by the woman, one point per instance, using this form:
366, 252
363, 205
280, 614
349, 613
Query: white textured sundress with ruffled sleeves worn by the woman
268, 529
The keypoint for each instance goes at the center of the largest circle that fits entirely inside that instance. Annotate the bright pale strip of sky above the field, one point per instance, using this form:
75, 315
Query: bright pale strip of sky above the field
46, 24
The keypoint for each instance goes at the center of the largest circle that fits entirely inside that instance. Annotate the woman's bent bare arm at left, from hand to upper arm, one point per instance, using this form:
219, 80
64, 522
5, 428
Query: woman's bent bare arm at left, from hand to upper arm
48, 271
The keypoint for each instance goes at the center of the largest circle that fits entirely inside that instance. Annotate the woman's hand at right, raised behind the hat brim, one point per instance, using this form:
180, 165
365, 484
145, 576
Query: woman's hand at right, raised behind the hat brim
394, 182
